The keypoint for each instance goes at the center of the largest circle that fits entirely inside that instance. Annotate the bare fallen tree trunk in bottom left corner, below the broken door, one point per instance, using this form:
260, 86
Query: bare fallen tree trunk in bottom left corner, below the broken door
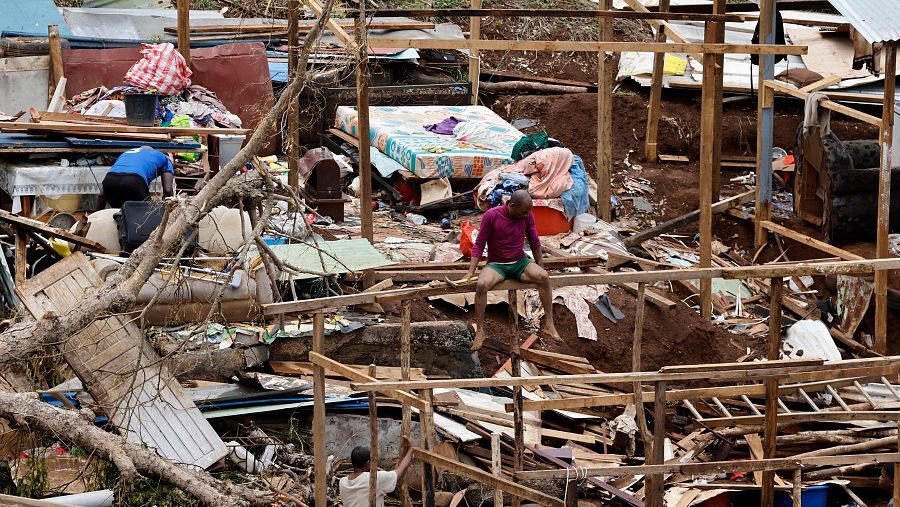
132, 460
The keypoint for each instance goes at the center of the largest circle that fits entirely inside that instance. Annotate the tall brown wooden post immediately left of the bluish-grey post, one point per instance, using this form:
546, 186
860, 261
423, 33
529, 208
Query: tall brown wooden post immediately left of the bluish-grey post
710, 112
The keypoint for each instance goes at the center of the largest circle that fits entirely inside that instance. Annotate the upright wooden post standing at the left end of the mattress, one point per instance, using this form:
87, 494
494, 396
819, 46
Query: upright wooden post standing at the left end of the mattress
362, 108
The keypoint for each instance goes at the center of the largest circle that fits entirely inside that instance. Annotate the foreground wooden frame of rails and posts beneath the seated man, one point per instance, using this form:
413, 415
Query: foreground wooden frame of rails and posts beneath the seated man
772, 374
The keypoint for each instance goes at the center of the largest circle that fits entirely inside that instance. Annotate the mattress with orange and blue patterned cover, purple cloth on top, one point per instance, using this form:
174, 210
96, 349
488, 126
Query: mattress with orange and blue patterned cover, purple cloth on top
482, 142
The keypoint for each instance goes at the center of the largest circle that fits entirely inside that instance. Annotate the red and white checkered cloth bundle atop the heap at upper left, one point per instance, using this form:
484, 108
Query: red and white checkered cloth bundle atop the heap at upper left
162, 69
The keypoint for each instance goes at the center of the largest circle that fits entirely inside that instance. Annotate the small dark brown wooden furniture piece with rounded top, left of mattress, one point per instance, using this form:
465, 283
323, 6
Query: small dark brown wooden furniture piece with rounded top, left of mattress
322, 189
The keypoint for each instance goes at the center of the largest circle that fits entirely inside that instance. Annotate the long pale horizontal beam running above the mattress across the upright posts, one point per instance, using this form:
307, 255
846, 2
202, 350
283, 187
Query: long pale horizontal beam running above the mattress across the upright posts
566, 46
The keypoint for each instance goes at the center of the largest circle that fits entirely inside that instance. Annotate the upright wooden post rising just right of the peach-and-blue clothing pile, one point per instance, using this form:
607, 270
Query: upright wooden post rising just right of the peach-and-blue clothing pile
604, 117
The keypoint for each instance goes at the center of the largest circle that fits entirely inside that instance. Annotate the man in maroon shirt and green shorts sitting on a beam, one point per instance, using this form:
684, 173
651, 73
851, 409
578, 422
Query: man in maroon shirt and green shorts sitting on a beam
504, 230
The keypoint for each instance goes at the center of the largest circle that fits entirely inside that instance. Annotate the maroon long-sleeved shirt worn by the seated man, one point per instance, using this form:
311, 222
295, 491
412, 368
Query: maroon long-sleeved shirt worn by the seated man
505, 236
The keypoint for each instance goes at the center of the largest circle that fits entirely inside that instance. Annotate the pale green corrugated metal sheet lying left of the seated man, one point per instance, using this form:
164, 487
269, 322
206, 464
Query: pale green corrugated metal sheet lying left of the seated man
340, 256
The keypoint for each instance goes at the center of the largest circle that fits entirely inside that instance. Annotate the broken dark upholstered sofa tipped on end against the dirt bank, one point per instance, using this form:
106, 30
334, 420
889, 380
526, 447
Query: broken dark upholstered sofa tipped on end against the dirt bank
837, 185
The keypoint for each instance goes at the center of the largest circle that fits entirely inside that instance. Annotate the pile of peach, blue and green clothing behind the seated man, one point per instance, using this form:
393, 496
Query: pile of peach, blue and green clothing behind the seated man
545, 169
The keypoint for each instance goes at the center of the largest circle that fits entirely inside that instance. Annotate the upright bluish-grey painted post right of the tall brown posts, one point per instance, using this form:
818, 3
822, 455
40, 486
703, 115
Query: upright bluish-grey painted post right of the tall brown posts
765, 127
